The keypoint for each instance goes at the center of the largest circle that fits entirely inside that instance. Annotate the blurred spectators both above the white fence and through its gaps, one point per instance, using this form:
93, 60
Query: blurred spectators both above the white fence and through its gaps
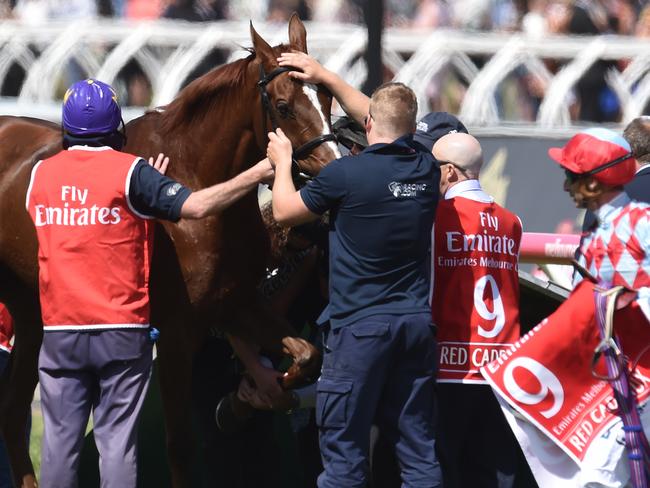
519, 95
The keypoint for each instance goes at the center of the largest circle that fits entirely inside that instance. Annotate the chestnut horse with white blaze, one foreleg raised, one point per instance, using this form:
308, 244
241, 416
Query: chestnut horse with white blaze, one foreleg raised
204, 272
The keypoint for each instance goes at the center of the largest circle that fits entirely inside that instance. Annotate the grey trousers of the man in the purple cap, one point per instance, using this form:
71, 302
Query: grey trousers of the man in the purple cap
104, 371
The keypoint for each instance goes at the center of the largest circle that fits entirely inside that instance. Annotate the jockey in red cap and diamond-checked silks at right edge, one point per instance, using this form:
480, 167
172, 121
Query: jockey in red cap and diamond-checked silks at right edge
597, 163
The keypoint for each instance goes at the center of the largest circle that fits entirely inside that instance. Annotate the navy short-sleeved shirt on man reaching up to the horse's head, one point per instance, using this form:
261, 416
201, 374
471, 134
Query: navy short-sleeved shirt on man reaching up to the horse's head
382, 204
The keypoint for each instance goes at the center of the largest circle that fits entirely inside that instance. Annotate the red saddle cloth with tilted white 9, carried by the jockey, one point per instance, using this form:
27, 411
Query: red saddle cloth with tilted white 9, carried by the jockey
547, 377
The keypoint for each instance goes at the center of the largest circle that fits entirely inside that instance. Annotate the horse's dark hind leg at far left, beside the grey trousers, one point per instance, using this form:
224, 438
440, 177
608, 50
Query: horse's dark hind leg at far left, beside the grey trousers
23, 376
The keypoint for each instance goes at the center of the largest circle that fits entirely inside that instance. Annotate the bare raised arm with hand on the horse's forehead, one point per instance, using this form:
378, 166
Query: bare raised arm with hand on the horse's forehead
352, 101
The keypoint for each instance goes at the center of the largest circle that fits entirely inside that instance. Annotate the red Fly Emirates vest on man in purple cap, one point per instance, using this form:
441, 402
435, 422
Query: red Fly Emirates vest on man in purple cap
94, 250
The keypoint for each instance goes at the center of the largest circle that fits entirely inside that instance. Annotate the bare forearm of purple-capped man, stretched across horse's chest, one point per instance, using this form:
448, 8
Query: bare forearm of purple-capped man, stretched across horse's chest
220, 196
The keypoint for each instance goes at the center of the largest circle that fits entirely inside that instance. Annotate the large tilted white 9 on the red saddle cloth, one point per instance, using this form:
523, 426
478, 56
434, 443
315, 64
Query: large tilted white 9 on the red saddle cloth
549, 383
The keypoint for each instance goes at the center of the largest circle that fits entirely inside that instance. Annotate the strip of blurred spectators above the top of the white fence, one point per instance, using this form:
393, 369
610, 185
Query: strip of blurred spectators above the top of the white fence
533, 17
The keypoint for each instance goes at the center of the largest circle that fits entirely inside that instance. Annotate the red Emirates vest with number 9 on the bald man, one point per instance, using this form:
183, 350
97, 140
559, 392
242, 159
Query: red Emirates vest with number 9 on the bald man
476, 288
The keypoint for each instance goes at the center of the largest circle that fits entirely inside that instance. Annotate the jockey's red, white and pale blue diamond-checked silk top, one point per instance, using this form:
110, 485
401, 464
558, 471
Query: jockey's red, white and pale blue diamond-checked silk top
618, 250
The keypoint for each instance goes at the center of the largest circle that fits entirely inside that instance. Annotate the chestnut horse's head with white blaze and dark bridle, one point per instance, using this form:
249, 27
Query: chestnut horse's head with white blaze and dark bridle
302, 110
